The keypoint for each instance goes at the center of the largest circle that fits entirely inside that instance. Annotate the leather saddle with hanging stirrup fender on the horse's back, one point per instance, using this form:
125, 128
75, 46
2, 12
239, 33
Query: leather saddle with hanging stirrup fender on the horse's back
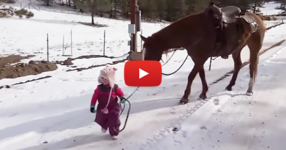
230, 15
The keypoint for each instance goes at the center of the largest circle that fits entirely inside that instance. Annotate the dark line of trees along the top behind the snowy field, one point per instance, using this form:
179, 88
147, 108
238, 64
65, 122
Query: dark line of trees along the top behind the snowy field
156, 10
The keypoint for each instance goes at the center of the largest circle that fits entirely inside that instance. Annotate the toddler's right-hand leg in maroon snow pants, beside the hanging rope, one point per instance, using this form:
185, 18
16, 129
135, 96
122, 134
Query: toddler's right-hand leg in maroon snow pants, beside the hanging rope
114, 123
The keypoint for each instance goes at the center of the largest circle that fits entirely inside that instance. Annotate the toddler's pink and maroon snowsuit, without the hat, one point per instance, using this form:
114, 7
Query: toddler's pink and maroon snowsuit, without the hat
111, 119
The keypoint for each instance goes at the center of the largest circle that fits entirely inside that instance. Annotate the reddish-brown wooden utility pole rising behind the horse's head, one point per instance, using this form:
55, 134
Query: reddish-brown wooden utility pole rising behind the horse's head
133, 7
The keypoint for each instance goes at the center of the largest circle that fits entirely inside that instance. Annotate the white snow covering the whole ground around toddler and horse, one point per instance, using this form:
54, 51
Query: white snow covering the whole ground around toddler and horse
53, 113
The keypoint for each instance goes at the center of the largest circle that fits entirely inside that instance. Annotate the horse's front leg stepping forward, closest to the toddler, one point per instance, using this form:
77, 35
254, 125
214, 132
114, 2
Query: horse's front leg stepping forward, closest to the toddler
191, 77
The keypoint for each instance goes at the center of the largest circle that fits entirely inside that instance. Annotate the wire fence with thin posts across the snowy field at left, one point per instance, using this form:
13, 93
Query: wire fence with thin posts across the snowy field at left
53, 46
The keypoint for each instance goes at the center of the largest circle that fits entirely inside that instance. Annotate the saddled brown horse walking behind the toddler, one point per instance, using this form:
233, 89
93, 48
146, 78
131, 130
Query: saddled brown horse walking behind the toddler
198, 34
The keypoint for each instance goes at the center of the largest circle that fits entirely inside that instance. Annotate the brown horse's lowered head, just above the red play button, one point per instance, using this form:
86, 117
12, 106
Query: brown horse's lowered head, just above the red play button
151, 50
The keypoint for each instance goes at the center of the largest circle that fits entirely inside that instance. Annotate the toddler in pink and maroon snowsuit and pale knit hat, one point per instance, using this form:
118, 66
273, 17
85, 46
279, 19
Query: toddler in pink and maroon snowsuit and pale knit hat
108, 109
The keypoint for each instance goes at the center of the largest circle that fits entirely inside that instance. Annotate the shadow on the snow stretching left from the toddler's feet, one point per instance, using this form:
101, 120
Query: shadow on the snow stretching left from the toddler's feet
72, 142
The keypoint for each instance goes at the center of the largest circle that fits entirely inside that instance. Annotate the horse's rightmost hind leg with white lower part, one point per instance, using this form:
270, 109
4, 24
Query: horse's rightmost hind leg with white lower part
254, 48
